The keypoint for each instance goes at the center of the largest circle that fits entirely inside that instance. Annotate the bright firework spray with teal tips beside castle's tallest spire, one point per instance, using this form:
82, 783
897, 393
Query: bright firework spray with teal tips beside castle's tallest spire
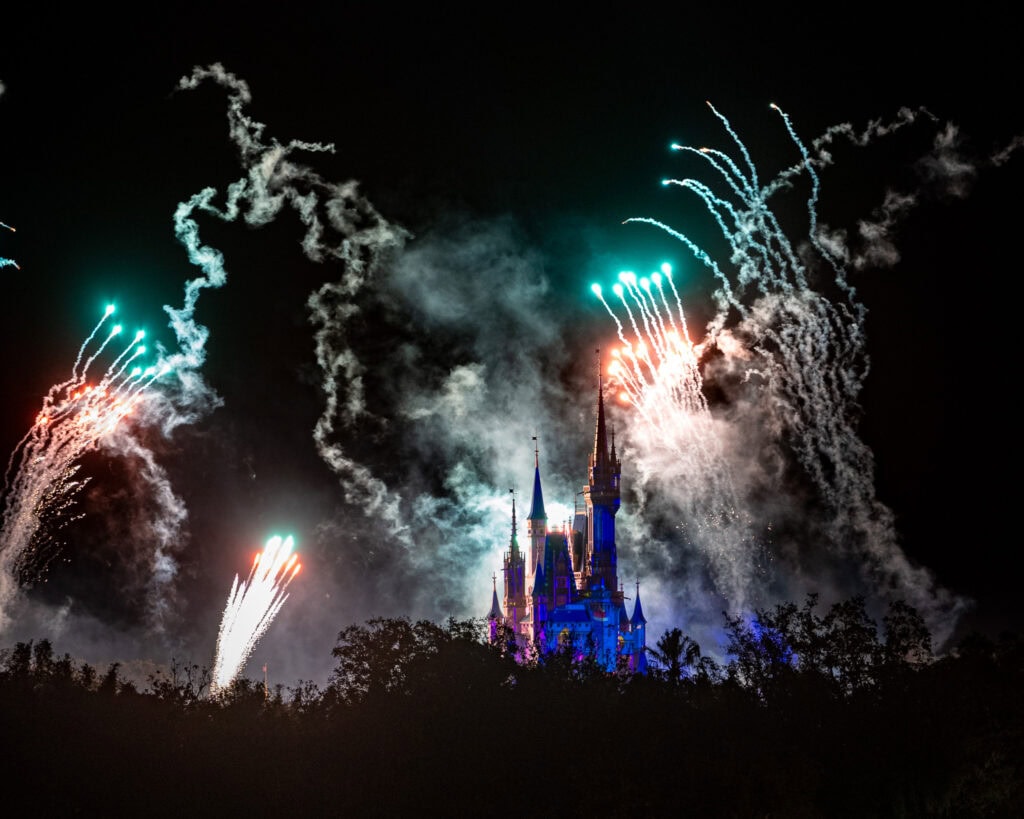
660, 377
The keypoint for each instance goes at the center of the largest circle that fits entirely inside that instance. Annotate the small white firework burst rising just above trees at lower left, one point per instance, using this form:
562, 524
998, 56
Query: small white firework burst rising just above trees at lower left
251, 609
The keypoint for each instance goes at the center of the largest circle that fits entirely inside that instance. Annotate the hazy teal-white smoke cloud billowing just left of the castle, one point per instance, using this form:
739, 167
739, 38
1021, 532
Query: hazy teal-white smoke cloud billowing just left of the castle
476, 373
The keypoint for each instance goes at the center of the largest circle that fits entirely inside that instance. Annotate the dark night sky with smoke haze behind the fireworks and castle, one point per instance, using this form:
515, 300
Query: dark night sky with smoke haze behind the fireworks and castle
506, 149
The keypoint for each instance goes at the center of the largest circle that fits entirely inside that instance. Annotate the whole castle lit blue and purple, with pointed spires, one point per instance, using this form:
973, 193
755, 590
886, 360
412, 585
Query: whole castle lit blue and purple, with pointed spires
565, 590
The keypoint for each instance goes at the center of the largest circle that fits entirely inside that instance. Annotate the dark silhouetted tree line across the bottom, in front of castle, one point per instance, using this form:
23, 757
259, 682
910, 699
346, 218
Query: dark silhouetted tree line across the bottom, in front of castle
812, 714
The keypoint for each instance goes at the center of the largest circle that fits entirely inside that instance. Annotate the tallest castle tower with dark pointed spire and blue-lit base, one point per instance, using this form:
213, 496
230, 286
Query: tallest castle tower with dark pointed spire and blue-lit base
603, 497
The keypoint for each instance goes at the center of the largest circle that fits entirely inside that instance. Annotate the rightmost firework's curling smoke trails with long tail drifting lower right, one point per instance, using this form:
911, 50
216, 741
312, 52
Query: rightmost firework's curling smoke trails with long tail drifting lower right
804, 352
